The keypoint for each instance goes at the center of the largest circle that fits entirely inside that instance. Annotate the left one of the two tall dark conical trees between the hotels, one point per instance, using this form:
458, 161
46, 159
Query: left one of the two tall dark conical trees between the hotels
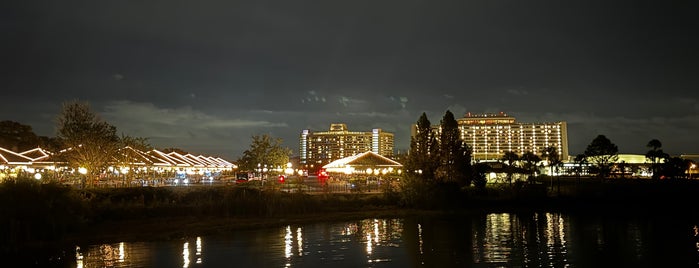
424, 150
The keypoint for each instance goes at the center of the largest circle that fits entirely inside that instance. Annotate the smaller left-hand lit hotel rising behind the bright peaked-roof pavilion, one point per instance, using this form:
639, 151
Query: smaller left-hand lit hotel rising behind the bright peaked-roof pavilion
319, 148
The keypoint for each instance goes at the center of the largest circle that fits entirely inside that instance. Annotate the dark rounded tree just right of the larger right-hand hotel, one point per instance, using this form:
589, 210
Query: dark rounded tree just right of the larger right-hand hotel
602, 153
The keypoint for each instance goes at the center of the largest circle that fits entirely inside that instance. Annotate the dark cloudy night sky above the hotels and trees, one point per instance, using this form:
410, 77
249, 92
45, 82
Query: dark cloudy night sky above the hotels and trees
205, 76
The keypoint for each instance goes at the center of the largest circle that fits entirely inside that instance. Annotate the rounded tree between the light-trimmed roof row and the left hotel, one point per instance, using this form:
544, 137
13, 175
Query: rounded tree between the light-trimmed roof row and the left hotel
265, 152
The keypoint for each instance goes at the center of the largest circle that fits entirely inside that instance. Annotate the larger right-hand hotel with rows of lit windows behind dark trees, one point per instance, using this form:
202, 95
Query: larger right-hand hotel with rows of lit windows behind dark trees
491, 135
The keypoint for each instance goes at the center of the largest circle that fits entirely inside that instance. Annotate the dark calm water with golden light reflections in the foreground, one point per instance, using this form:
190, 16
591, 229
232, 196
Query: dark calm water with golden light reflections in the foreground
485, 240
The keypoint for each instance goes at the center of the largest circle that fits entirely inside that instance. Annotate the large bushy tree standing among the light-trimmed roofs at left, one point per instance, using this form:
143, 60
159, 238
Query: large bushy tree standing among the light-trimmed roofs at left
89, 141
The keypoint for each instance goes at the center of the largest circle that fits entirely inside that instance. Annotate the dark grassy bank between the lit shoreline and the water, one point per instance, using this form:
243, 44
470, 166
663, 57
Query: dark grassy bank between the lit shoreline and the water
33, 214
